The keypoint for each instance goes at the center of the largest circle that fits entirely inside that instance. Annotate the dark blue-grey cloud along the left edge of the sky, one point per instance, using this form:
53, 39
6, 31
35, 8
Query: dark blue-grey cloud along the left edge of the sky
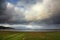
3, 16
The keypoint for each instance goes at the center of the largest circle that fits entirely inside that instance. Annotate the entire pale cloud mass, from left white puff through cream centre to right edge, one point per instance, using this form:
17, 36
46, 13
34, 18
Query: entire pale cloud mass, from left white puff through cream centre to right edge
35, 11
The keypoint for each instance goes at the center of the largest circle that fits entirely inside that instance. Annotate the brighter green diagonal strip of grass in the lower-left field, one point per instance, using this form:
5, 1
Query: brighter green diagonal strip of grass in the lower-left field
15, 37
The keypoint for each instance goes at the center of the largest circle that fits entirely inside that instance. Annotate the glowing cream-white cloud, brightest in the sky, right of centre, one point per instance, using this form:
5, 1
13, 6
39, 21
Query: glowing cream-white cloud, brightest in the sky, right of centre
36, 12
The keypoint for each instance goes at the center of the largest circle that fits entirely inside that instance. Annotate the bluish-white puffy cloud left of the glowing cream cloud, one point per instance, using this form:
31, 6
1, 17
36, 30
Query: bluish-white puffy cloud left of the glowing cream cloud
15, 12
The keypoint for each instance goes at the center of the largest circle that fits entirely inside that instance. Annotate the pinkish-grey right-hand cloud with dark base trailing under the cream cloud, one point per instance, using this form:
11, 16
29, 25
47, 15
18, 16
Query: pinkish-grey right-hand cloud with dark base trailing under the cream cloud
53, 7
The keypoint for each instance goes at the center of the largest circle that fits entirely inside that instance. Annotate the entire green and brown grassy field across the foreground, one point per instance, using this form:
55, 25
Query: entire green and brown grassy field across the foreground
6, 35
